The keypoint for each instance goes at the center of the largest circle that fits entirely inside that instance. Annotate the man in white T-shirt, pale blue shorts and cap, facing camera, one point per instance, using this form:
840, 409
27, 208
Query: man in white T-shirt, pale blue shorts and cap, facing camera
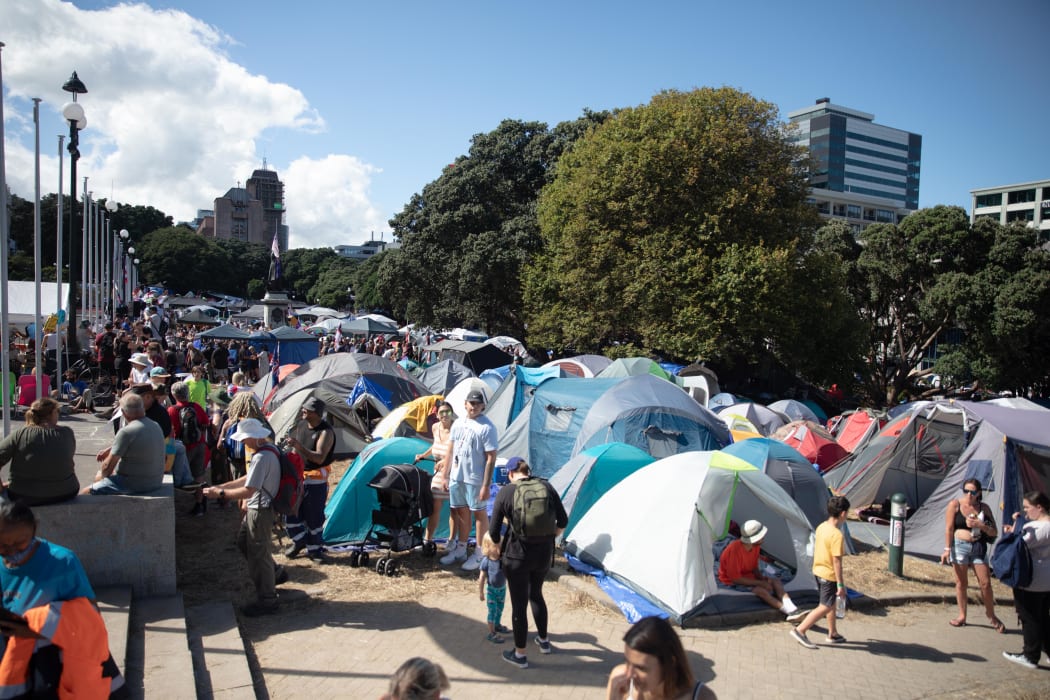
474, 444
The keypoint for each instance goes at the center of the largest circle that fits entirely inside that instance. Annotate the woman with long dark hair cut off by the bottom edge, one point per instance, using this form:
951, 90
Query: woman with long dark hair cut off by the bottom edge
656, 667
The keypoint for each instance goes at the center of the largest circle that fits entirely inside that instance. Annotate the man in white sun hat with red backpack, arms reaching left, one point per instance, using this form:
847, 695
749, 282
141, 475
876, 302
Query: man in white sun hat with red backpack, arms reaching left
257, 489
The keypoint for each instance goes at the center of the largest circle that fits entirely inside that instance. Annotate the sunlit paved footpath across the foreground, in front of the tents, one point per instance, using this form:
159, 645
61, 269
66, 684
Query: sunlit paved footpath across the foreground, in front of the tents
322, 649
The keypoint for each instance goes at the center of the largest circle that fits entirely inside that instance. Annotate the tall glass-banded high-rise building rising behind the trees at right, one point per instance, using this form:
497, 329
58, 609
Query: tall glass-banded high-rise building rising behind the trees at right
864, 173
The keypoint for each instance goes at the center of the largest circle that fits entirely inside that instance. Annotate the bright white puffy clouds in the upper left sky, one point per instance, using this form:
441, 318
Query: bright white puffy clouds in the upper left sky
173, 121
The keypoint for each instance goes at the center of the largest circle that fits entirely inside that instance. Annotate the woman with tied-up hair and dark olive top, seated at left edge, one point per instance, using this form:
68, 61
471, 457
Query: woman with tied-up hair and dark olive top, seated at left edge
41, 456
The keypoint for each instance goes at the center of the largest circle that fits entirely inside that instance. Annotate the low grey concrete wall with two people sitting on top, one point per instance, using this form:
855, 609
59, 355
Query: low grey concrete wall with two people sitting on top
121, 540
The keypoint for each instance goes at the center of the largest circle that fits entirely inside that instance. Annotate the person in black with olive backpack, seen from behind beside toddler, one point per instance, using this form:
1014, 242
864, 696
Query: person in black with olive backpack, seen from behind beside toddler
535, 516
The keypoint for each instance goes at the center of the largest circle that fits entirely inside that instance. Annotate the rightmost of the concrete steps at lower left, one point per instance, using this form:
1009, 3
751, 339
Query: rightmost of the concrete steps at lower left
220, 661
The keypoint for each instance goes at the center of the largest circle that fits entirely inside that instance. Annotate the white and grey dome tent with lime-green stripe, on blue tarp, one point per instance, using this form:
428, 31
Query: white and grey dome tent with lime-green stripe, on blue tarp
657, 529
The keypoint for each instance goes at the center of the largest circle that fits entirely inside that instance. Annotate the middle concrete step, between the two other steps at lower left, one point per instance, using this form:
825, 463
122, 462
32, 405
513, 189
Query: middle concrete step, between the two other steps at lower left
159, 662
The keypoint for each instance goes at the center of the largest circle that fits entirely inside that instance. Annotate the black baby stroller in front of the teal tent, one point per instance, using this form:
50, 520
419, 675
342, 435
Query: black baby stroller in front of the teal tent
405, 502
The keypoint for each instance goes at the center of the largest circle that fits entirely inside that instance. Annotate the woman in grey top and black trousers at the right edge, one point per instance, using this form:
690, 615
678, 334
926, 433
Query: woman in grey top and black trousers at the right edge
1033, 601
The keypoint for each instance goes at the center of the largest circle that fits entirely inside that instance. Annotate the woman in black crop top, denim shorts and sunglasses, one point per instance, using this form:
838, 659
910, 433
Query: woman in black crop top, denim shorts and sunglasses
970, 527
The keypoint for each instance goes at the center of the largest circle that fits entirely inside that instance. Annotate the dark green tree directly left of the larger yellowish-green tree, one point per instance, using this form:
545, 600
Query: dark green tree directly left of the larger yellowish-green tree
466, 240
